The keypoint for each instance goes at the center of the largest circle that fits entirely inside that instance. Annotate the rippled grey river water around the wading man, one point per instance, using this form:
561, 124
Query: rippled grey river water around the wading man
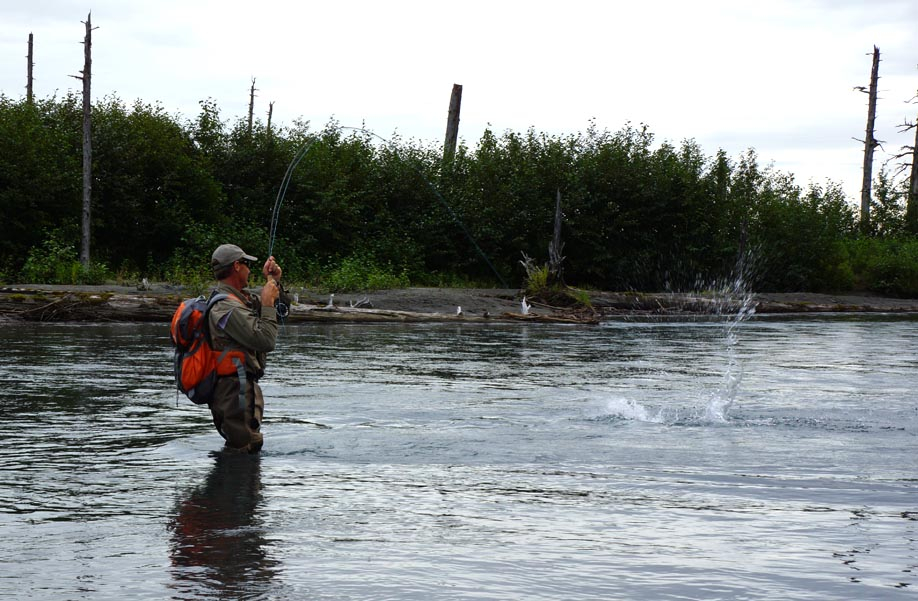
768, 459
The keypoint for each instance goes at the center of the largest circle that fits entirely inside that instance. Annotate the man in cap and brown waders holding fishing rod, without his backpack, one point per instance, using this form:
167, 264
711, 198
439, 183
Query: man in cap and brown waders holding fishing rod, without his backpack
247, 322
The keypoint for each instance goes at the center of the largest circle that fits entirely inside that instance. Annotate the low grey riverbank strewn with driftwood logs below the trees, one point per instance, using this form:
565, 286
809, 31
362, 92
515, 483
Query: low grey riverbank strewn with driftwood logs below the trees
157, 302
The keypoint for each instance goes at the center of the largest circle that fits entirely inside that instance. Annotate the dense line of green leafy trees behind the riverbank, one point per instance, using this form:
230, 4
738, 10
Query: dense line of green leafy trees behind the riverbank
363, 212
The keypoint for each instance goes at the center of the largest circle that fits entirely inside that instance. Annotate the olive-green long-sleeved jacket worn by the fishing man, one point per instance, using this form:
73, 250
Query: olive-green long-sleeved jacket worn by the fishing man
241, 322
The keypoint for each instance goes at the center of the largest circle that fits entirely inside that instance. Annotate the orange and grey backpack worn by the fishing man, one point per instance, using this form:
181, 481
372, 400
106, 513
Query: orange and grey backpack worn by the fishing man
197, 364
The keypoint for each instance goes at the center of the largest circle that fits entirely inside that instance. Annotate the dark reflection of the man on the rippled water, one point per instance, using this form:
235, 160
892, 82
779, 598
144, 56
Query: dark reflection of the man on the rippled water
218, 547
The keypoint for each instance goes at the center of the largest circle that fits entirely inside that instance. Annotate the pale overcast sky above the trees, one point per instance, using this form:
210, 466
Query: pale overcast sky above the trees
776, 75
